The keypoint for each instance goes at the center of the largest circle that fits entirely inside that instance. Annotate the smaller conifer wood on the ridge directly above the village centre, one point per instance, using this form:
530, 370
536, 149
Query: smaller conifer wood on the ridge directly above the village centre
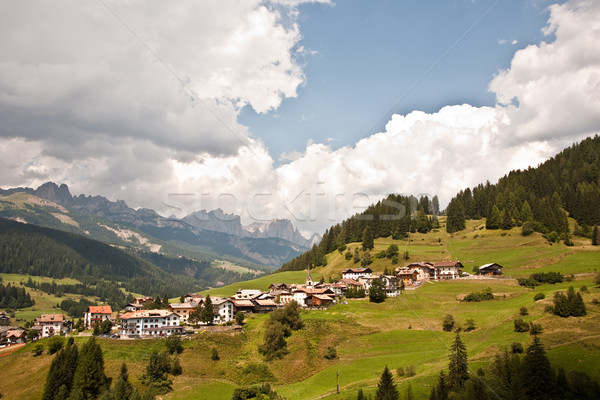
394, 216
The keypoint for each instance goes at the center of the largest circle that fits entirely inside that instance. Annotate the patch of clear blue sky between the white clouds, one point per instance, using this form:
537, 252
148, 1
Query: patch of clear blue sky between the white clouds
370, 53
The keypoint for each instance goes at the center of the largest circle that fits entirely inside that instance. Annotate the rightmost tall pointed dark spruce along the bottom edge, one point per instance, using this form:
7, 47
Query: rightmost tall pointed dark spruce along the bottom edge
537, 376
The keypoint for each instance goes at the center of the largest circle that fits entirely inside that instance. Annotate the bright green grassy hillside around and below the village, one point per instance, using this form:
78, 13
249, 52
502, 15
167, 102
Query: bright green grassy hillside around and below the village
400, 332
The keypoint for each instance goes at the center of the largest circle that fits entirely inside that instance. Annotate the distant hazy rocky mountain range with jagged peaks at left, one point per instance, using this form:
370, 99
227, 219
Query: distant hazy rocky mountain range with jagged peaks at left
200, 235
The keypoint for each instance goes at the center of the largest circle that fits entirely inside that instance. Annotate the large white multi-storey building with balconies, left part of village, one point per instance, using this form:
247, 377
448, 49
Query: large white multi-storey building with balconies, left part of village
150, 323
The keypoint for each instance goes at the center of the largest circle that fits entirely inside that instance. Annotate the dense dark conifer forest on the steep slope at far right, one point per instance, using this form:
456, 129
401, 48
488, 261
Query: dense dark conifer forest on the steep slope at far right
538, 198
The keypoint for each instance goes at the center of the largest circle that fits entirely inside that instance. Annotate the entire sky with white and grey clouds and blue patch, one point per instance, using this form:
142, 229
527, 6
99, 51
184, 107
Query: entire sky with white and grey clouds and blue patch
307, 110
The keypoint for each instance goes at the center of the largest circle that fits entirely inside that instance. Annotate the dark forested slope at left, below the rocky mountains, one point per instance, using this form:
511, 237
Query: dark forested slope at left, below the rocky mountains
37, 251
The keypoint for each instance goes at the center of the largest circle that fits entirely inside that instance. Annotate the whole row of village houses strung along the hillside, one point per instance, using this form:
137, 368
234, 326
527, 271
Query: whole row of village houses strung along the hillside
137, 321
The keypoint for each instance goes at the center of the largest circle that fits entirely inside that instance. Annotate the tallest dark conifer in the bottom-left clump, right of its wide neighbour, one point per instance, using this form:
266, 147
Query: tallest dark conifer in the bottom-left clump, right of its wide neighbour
89, 377
